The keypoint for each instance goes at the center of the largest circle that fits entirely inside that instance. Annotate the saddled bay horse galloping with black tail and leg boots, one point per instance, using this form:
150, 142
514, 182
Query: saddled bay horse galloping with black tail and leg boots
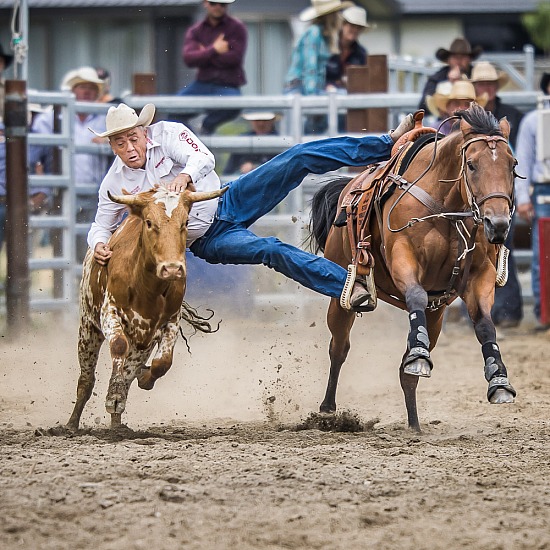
422, 244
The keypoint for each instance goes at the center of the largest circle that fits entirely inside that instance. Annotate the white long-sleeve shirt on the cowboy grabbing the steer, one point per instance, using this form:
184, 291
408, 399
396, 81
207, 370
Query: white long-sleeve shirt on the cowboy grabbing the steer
171, 149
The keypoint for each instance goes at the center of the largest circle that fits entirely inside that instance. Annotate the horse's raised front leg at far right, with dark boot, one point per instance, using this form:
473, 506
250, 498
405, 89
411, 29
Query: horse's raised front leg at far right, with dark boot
479, 298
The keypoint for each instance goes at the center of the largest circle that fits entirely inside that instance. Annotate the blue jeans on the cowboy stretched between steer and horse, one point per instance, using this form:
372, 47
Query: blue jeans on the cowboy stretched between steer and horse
229, 241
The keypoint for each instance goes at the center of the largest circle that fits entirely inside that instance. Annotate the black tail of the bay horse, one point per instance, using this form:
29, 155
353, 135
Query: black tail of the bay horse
323, 211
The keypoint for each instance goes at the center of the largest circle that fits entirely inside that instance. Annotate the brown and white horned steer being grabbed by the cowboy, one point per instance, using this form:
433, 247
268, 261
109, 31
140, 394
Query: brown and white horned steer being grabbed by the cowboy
135, 301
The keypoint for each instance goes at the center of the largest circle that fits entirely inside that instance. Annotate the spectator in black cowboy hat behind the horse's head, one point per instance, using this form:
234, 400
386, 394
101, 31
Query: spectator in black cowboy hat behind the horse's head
458, 59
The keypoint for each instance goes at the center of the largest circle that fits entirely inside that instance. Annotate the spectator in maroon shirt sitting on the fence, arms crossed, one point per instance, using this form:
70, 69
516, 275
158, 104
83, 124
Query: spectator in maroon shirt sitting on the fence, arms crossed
216, 47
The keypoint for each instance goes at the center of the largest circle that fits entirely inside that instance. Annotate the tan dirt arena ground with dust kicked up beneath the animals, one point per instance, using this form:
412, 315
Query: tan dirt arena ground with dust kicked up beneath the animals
213, 458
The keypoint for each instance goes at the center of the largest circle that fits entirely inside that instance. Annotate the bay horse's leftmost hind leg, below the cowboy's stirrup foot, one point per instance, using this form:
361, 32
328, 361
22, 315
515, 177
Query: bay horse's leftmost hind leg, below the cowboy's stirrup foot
339, 323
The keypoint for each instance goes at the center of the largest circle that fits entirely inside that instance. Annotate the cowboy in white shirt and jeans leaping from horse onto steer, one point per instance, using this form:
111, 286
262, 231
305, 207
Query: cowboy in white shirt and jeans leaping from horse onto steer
169, 154
